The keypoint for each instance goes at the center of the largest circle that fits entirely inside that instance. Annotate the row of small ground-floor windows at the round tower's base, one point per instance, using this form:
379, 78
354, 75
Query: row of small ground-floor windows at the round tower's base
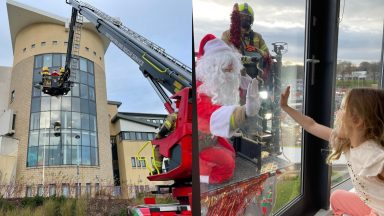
65, 189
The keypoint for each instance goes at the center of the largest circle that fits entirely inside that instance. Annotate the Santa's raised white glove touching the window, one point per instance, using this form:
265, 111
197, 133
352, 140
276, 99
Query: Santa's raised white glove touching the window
252, 101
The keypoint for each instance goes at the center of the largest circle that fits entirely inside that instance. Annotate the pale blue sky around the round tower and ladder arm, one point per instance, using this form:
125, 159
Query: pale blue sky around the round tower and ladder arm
167, 23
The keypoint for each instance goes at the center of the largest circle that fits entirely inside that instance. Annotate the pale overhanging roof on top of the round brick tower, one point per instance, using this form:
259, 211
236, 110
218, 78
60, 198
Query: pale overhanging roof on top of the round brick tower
21, 16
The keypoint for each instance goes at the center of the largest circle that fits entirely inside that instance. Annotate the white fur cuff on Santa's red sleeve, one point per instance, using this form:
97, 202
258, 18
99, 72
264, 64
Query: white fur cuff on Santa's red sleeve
220, 121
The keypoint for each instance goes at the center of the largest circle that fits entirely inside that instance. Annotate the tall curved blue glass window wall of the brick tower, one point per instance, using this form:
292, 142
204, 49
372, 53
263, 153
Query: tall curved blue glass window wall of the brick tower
78, 127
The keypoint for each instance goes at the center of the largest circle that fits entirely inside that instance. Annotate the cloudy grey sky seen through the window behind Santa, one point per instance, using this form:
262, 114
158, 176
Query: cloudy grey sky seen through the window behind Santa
360, 34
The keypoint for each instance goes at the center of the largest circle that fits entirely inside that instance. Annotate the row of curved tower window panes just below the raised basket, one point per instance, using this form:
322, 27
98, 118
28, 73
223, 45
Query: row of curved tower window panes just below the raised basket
64, 104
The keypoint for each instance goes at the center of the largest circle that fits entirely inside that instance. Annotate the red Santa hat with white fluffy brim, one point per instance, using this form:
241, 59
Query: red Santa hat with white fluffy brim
210, 44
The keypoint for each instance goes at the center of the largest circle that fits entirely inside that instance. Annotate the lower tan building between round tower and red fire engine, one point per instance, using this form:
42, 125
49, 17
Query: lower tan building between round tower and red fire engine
131, 134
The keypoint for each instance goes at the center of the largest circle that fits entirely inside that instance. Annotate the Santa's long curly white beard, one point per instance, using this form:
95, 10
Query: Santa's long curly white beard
222, 87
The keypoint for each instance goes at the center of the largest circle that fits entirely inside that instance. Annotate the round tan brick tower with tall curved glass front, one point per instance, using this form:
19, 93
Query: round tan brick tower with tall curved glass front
82, 153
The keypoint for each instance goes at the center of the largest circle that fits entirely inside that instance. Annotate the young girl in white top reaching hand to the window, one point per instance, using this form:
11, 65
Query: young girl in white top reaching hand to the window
359, 134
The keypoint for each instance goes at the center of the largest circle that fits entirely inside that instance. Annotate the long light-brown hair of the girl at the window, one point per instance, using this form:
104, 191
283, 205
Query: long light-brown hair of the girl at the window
366, 104
